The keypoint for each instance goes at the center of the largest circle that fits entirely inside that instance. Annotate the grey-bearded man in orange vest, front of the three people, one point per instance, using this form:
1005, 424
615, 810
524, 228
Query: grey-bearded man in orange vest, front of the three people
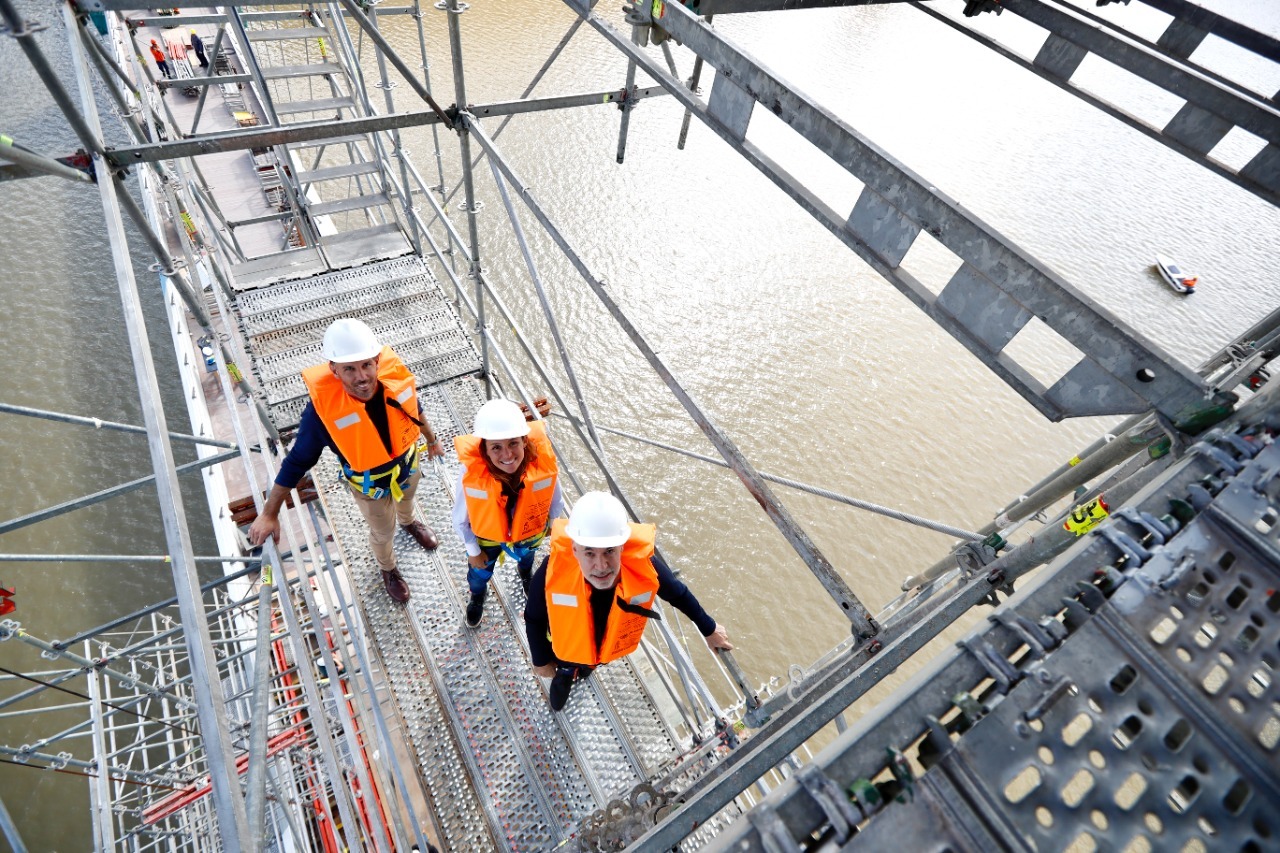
592, 599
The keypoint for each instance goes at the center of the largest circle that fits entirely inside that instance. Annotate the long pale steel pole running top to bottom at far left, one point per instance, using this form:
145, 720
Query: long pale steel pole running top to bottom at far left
212, 709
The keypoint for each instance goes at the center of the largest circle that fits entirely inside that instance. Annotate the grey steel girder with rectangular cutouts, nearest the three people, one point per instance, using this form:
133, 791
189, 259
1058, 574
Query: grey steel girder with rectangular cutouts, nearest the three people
998, 290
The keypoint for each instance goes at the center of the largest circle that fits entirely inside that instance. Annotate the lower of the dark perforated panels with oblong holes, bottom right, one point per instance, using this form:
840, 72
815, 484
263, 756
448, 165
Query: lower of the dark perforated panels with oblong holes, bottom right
1121, 760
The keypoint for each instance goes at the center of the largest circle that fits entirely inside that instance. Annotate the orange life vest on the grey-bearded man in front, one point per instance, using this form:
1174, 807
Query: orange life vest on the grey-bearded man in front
569, 600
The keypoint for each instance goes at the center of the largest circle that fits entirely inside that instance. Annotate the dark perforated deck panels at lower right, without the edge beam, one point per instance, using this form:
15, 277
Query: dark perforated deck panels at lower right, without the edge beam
1155, 726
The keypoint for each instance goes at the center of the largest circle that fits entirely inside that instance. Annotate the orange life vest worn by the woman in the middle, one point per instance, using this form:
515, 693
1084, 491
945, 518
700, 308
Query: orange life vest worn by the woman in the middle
487, 505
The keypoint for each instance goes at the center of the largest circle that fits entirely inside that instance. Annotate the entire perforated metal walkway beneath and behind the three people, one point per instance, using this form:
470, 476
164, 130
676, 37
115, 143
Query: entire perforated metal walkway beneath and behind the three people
502, 770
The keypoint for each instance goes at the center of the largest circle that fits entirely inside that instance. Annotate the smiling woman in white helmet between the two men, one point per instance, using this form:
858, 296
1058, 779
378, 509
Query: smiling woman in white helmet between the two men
506, 498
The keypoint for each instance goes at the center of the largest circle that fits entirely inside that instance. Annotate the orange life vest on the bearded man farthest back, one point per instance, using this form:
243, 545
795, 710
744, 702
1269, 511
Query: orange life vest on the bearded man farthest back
349, 423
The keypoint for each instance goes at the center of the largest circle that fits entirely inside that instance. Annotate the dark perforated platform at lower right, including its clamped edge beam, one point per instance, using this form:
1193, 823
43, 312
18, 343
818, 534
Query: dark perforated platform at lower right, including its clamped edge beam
1127, 700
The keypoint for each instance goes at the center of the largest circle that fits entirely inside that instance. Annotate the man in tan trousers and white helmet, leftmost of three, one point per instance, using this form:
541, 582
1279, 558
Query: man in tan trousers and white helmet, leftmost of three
364, 408
